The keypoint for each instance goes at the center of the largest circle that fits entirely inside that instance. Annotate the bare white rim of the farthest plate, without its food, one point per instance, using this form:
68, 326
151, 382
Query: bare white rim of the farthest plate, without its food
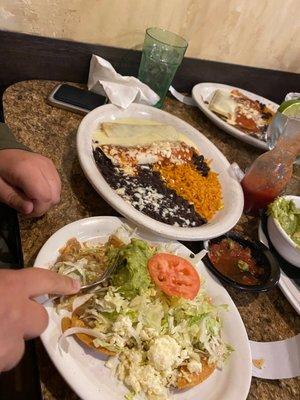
202, 93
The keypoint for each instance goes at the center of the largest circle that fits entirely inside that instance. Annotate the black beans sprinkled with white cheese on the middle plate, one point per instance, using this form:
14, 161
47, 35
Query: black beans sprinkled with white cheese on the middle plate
147, 192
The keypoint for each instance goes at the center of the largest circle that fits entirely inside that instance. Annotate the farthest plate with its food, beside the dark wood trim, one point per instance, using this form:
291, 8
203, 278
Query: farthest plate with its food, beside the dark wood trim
238, 112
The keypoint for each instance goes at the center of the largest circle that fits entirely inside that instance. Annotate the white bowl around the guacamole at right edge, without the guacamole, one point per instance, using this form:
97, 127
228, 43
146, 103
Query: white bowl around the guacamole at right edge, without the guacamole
285, 246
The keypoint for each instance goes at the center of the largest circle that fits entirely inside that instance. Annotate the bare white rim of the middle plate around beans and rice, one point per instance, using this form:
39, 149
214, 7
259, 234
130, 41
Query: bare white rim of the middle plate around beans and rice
232, 192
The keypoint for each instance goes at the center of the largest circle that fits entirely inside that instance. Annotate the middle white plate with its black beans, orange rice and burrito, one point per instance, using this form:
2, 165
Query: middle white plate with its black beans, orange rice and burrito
159, 172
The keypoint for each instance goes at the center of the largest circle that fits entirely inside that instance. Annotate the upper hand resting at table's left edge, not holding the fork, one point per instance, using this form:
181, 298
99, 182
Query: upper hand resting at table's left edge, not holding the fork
29, 182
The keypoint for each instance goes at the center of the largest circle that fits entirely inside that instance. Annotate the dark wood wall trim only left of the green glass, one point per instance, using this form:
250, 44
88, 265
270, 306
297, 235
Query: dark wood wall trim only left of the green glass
33, 57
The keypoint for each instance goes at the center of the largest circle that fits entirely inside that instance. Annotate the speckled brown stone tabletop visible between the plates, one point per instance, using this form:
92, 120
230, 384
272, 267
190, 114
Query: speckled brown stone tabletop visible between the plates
51, 132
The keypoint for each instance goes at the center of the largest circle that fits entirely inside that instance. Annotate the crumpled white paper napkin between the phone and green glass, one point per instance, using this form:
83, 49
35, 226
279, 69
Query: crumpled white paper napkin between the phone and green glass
120, 90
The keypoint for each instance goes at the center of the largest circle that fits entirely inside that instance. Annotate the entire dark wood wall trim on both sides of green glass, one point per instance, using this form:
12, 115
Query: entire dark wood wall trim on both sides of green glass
32, 57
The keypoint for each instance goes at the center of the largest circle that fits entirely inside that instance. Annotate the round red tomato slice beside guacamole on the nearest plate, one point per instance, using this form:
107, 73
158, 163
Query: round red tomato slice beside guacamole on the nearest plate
174, 275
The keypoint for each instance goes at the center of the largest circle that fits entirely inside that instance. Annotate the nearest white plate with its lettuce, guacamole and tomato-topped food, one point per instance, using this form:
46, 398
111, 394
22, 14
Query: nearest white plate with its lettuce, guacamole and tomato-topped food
134, 335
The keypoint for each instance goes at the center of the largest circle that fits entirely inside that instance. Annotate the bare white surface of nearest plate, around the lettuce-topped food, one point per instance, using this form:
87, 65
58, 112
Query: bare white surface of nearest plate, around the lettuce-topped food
85, 371
